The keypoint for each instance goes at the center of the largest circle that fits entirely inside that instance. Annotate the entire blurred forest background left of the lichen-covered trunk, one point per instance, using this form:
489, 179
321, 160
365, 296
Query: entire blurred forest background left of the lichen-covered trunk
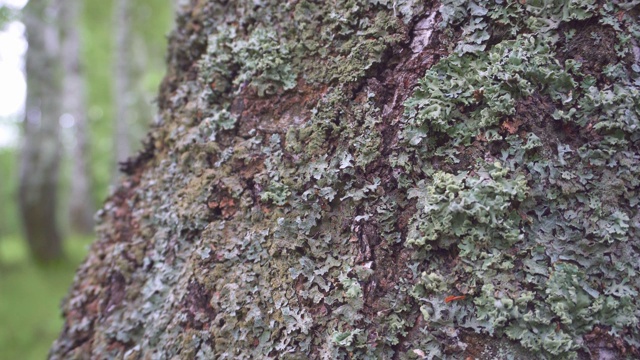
93, 68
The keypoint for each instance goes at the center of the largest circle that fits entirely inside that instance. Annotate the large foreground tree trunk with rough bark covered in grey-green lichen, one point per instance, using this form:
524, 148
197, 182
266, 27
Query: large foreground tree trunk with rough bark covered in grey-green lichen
378, 180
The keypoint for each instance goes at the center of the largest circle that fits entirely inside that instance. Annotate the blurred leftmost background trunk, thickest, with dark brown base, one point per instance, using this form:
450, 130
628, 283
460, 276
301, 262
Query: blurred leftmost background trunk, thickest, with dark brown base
41, 145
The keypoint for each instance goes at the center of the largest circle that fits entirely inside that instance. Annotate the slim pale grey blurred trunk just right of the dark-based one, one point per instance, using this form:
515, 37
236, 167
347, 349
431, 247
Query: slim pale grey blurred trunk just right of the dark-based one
74, 107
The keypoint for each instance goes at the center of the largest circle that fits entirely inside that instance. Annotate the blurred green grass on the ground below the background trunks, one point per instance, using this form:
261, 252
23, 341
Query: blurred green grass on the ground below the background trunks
30, 297
